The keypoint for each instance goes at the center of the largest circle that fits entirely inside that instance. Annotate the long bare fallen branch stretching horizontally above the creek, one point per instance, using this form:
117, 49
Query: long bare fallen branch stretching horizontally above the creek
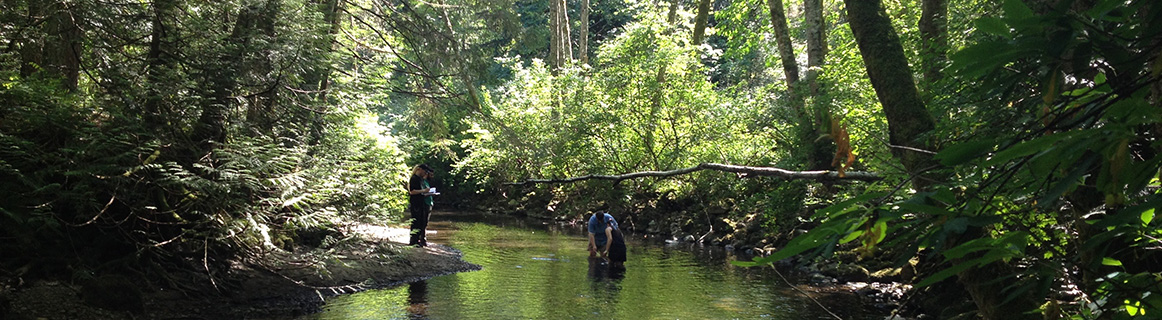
766, 172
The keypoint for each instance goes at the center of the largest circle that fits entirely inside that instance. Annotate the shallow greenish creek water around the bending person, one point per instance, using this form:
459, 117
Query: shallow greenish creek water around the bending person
541, 271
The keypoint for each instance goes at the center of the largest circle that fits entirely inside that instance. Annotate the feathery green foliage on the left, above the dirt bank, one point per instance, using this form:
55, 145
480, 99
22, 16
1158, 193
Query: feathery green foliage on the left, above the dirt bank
231, 151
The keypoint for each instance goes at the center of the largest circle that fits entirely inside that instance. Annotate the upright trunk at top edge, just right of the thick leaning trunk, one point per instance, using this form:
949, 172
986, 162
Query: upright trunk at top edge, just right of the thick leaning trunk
935, 39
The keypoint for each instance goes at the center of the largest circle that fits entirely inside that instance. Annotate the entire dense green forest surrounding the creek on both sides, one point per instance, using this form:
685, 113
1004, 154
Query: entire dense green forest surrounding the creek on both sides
1015, 144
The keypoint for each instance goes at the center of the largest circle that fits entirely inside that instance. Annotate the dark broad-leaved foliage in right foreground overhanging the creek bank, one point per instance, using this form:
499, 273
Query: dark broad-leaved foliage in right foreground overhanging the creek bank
1057, 163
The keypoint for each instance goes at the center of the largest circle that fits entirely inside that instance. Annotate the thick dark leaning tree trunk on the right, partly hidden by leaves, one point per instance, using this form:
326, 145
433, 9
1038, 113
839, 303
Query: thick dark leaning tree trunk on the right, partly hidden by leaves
909, 124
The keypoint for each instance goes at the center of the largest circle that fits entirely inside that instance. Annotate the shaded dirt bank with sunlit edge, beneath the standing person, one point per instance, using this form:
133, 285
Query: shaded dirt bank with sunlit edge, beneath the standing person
279, 286
